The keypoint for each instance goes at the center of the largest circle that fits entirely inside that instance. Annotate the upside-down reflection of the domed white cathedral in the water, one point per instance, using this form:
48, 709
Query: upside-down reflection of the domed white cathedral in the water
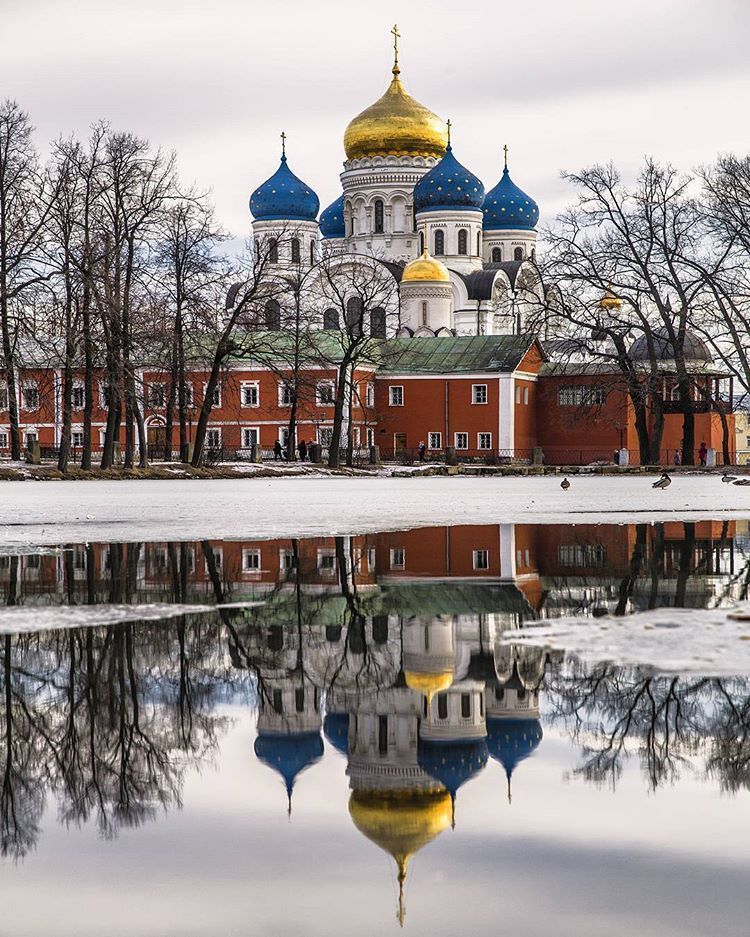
417, 704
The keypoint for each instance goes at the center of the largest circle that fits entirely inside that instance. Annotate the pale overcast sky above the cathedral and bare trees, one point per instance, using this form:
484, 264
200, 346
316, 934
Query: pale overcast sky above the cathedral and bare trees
564, 84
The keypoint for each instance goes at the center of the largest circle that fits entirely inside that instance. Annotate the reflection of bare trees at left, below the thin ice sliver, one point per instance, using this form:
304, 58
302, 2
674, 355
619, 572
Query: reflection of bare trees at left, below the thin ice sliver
106, 719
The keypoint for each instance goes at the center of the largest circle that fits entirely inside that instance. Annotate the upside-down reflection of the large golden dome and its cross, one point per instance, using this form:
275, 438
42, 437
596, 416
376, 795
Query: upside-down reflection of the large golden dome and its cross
401, 823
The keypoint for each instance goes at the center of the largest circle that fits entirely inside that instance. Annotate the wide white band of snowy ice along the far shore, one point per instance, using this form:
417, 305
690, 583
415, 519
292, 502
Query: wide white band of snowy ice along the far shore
52, 512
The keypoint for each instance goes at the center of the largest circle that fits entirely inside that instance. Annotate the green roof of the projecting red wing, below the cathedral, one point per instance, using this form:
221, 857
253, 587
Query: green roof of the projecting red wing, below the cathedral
452, 354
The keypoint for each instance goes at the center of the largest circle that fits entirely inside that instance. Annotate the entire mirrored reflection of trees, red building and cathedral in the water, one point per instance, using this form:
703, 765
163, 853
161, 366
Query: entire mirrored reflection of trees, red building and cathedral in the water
388, 646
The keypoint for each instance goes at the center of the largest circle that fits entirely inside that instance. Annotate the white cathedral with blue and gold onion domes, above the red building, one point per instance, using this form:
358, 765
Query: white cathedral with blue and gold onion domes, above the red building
463, 259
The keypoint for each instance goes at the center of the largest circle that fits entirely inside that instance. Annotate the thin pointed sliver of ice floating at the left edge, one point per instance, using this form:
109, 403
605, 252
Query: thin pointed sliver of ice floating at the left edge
24, 619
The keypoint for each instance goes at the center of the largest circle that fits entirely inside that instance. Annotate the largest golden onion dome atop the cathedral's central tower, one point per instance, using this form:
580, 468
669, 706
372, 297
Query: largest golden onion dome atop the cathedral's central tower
396, 125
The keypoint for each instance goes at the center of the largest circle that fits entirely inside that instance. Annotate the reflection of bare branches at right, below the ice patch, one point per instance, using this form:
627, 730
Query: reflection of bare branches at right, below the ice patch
670, 724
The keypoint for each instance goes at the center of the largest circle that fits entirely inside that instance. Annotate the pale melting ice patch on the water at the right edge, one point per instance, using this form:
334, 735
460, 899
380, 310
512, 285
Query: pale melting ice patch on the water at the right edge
712, 642
